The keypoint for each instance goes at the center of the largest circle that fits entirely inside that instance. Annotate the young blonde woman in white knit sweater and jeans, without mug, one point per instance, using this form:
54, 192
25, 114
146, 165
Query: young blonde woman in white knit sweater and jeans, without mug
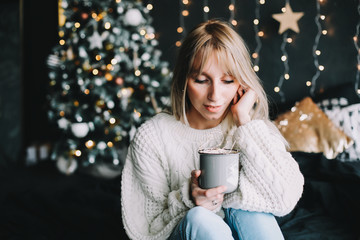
216, 98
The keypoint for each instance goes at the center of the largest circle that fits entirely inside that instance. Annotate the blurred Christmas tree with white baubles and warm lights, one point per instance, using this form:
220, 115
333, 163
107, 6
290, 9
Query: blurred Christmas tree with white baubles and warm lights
106, 78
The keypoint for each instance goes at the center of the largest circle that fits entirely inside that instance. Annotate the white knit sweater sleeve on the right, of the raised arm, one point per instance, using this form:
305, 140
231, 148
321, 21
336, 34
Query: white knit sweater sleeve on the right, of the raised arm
269, 179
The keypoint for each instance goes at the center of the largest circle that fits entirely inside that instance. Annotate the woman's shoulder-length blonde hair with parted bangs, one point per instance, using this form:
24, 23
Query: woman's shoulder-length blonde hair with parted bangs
215, 36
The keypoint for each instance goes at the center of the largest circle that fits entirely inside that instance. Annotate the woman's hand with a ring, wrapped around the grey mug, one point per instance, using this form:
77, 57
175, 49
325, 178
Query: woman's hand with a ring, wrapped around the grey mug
207, 198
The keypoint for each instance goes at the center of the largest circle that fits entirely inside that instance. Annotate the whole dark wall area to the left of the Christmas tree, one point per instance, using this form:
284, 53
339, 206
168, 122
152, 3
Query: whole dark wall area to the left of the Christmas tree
28, 31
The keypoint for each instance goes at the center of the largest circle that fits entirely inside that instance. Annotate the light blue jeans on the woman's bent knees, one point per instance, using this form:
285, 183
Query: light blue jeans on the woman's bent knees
202, 224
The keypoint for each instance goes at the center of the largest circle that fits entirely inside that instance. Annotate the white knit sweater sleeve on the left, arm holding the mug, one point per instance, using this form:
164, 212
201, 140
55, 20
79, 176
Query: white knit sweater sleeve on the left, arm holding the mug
150, 209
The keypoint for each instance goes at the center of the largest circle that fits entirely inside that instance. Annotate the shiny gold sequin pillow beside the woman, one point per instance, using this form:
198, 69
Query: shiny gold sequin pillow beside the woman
308, 129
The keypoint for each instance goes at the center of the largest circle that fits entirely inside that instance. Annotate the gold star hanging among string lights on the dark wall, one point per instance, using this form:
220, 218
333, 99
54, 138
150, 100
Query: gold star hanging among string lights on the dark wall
288, 19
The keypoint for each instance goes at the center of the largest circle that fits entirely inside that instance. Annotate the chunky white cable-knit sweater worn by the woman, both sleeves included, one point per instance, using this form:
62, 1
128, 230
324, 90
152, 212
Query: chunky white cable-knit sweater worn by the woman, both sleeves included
164, 151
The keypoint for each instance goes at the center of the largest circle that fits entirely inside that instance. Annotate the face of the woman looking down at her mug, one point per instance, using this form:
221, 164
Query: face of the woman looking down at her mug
210, 93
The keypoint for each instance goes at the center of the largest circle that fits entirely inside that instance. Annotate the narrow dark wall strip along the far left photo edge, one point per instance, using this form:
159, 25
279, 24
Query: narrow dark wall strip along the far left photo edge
10, 83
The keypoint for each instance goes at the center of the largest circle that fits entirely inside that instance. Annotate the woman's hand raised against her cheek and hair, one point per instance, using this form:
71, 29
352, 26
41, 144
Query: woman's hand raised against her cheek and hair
243, 102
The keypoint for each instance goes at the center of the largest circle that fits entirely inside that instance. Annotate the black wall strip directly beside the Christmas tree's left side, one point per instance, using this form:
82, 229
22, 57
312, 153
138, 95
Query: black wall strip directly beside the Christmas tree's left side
40, 35
